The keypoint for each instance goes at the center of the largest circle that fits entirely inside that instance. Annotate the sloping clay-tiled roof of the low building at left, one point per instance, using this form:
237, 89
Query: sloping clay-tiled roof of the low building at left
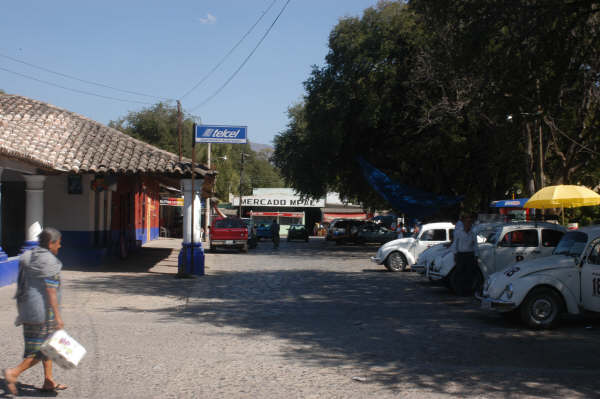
53, 138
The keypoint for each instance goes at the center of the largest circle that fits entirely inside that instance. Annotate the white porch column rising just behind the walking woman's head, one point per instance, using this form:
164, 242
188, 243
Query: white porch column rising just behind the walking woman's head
34, 209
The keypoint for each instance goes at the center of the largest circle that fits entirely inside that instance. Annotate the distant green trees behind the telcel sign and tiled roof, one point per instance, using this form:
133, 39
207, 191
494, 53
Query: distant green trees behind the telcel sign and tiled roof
157, 125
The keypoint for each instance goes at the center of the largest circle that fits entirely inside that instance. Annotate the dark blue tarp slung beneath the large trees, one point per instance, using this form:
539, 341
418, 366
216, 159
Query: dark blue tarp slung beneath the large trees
409, 200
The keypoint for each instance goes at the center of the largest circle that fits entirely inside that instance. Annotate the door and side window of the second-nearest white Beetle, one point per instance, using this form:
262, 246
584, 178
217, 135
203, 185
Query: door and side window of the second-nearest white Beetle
515, 246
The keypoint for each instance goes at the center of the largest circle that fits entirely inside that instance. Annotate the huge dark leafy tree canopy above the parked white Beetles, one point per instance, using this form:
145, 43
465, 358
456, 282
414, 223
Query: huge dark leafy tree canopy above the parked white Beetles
450, 97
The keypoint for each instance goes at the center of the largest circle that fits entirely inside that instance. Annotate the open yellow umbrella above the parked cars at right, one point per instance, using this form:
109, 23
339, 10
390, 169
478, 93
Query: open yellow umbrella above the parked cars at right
563, 196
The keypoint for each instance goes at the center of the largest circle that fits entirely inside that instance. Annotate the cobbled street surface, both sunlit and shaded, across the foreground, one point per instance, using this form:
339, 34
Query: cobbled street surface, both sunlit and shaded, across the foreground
300, 322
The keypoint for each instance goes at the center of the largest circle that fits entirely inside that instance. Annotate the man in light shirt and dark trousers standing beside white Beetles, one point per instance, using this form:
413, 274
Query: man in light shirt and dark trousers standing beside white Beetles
465, 250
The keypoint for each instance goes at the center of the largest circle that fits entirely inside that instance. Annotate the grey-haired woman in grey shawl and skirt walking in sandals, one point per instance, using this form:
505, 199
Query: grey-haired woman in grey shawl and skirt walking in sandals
38, 298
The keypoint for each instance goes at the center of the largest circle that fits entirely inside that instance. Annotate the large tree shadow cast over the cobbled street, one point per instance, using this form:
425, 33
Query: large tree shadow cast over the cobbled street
397, 331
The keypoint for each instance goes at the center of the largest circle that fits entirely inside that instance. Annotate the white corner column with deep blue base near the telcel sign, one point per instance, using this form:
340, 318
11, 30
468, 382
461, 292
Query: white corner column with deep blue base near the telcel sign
190, 245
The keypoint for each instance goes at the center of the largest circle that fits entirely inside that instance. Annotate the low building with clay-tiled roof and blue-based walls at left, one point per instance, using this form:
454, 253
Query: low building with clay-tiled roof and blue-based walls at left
97, 185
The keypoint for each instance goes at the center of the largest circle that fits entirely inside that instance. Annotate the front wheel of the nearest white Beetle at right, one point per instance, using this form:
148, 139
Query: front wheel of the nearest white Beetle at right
541, 308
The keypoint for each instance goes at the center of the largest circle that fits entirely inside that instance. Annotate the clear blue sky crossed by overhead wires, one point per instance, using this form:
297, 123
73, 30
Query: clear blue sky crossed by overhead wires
163, 49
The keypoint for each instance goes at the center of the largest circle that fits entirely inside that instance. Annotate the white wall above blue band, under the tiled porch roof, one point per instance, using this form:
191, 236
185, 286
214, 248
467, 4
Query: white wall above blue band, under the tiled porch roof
64, 211
